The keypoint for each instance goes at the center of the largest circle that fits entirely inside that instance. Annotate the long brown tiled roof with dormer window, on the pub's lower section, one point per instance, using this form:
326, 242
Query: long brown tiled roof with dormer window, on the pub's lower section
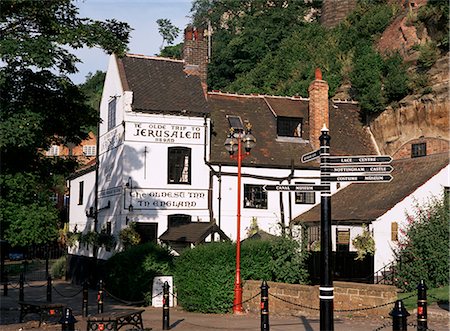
347, 133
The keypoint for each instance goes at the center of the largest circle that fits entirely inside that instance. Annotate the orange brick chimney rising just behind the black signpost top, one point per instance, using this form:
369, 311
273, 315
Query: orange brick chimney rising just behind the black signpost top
318, 108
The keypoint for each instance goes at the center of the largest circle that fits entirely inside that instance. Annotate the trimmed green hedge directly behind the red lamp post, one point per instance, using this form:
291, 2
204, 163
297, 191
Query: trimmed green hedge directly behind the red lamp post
205, 275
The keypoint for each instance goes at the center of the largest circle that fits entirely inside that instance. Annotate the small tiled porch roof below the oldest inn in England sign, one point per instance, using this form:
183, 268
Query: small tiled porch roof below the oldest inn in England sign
194, 232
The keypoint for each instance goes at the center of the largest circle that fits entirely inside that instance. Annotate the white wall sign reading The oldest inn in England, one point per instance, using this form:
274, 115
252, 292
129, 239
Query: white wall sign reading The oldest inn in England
167, 199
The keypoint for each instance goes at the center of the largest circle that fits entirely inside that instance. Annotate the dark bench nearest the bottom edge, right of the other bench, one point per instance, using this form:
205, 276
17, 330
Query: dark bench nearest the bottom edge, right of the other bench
114, 320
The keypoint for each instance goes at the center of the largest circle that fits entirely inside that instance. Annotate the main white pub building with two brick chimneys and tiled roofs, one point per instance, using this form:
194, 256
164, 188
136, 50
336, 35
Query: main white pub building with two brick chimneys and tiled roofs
162, 164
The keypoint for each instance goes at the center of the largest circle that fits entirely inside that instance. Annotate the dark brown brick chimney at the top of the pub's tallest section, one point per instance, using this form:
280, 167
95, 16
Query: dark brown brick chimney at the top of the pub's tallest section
195, 52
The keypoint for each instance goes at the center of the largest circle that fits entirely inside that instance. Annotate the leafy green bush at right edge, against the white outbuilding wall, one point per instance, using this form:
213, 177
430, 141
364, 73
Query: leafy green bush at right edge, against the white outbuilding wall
423, 251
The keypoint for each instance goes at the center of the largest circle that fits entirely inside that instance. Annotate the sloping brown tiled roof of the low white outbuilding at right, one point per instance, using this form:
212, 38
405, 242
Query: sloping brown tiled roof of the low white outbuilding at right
367, 201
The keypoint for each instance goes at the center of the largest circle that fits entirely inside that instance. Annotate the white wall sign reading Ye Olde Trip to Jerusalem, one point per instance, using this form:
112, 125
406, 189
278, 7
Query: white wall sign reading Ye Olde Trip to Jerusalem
164, 133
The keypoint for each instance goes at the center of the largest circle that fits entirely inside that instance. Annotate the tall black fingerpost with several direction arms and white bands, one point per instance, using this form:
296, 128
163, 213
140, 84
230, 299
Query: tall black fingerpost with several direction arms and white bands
353, 169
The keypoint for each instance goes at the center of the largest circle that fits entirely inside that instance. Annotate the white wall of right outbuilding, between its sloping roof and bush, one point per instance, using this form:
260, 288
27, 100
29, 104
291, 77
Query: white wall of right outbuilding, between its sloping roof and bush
382, 226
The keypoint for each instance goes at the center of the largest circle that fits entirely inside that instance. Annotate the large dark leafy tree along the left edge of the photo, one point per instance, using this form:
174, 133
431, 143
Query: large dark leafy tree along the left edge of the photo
41, 106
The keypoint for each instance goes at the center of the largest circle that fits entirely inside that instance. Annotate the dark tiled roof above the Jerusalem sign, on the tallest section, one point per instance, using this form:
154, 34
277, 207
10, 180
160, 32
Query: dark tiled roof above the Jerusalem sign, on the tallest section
160, 85
